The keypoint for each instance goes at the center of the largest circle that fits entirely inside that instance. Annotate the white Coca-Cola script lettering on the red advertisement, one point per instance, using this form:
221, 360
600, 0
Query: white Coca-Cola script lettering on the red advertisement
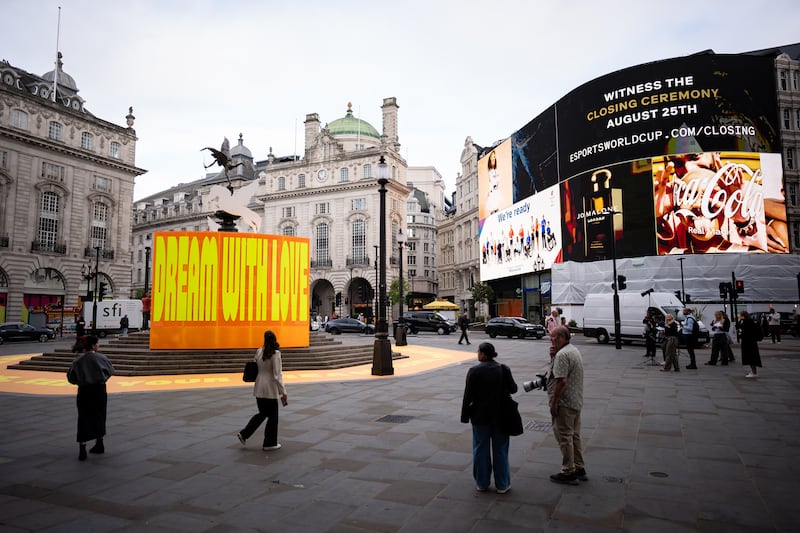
733, 191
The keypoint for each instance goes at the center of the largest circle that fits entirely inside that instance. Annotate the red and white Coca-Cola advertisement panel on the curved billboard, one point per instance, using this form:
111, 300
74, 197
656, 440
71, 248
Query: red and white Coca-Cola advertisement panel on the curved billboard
713, 202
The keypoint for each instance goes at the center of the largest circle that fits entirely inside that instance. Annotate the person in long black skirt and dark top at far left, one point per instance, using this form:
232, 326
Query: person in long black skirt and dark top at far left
90, 372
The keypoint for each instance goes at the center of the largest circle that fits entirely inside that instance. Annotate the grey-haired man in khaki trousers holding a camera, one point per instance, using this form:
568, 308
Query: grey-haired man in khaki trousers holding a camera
565, 389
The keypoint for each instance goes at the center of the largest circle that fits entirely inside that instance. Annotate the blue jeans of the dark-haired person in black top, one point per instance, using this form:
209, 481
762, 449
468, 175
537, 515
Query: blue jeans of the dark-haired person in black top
490, 453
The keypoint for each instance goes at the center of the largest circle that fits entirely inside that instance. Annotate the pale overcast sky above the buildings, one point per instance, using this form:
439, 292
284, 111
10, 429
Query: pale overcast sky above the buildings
197, 71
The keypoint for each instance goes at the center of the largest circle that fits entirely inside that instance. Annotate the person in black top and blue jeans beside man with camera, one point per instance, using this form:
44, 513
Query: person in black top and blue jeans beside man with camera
487, 383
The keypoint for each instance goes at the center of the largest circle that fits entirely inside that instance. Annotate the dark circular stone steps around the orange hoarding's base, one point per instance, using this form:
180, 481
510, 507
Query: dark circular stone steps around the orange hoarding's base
131, 357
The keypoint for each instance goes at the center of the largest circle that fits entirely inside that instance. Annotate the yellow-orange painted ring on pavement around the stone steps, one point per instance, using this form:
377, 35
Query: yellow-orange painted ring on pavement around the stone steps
420, 359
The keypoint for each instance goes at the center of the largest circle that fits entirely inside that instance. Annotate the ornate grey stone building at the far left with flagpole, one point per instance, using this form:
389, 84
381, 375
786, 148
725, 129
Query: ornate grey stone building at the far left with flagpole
66, 191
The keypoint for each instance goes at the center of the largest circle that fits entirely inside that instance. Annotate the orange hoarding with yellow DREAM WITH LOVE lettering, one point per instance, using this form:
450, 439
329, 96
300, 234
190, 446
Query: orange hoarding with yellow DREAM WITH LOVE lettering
223, 290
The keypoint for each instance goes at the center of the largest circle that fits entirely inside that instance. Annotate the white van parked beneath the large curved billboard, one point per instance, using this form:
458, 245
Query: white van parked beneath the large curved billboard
598, 315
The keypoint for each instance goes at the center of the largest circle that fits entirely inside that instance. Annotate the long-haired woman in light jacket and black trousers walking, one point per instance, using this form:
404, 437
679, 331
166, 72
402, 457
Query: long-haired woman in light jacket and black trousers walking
268, 387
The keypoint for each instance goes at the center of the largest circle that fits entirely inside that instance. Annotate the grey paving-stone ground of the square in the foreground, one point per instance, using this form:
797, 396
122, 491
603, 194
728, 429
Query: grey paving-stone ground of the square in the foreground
704, 450
